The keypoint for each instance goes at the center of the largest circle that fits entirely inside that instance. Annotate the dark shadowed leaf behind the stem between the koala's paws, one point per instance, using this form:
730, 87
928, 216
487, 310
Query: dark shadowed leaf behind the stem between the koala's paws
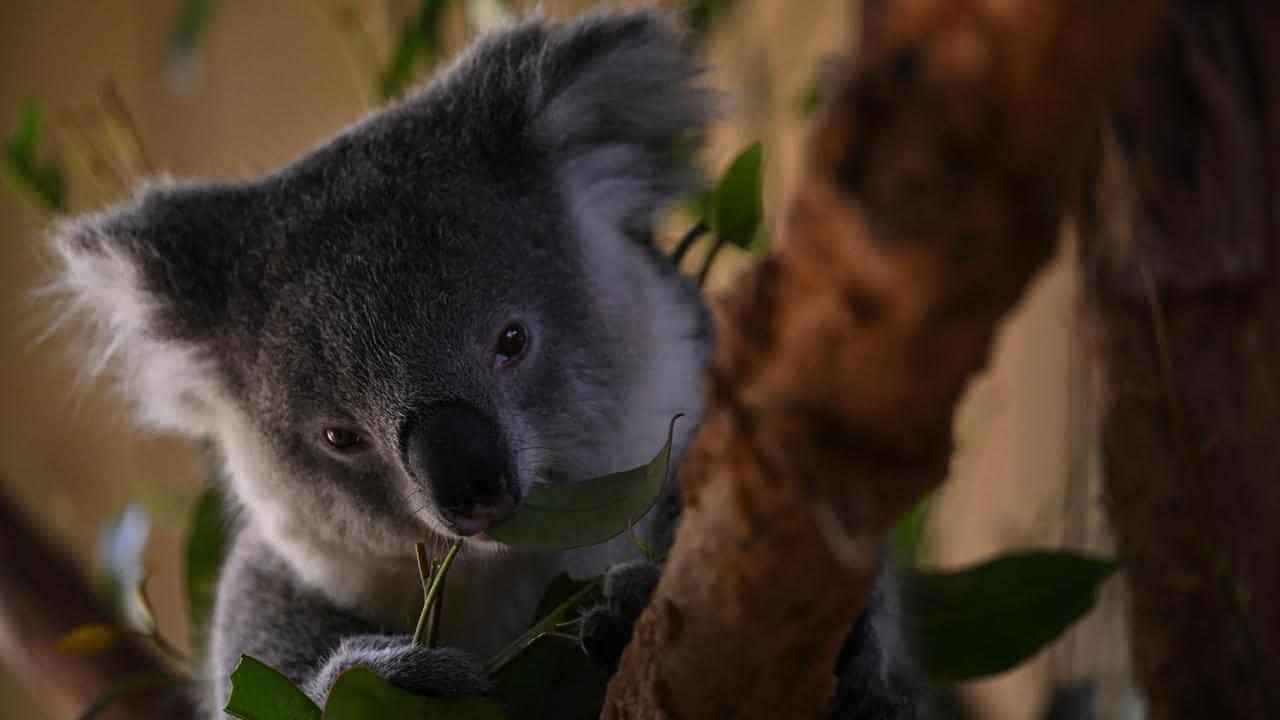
552, 678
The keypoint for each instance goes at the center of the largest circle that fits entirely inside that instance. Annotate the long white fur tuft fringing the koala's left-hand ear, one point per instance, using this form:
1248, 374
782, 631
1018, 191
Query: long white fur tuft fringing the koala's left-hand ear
108, 279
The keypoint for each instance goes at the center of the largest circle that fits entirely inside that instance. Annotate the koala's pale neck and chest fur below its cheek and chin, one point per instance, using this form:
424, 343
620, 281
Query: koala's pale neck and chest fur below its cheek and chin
491, 593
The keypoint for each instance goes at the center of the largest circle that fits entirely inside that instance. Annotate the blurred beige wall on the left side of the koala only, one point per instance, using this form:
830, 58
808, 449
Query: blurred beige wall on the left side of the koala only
275, 84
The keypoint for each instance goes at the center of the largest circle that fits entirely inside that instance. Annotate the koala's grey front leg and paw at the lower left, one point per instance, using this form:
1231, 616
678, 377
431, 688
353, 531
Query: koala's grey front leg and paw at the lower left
267, 613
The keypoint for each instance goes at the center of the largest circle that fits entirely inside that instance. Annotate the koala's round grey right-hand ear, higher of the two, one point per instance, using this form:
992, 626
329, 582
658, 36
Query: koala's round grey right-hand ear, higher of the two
620, 106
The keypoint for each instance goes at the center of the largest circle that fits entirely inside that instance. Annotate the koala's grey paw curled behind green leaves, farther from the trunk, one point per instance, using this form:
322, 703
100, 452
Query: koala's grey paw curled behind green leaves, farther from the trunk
438, 672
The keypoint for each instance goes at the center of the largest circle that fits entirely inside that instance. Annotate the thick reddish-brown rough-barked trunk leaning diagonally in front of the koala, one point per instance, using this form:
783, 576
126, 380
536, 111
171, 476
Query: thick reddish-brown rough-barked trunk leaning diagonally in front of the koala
938, 183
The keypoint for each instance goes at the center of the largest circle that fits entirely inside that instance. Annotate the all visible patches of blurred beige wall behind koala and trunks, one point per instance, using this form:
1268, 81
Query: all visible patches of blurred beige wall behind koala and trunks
278, 79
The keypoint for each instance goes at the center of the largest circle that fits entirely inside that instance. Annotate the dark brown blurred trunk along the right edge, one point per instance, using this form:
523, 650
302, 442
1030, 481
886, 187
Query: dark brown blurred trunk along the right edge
1183, 252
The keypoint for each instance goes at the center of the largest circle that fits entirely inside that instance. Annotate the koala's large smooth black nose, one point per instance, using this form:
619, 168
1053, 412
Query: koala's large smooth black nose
459, 454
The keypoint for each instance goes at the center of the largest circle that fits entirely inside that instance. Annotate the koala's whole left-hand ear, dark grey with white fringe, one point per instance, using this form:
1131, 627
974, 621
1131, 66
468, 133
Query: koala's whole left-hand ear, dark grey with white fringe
153, 280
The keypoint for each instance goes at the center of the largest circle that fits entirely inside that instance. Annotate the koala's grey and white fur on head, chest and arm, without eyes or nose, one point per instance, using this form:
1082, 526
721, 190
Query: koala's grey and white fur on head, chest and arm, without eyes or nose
368, 281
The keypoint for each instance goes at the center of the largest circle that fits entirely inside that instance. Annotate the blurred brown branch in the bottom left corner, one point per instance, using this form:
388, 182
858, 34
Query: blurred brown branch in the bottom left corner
43, 596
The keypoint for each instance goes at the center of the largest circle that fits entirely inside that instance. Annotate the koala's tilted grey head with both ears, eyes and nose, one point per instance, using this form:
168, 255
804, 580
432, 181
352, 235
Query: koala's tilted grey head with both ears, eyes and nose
452, 300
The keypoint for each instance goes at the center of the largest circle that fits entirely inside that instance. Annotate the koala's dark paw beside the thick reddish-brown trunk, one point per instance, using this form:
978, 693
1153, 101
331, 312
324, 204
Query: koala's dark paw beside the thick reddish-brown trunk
606, 630
